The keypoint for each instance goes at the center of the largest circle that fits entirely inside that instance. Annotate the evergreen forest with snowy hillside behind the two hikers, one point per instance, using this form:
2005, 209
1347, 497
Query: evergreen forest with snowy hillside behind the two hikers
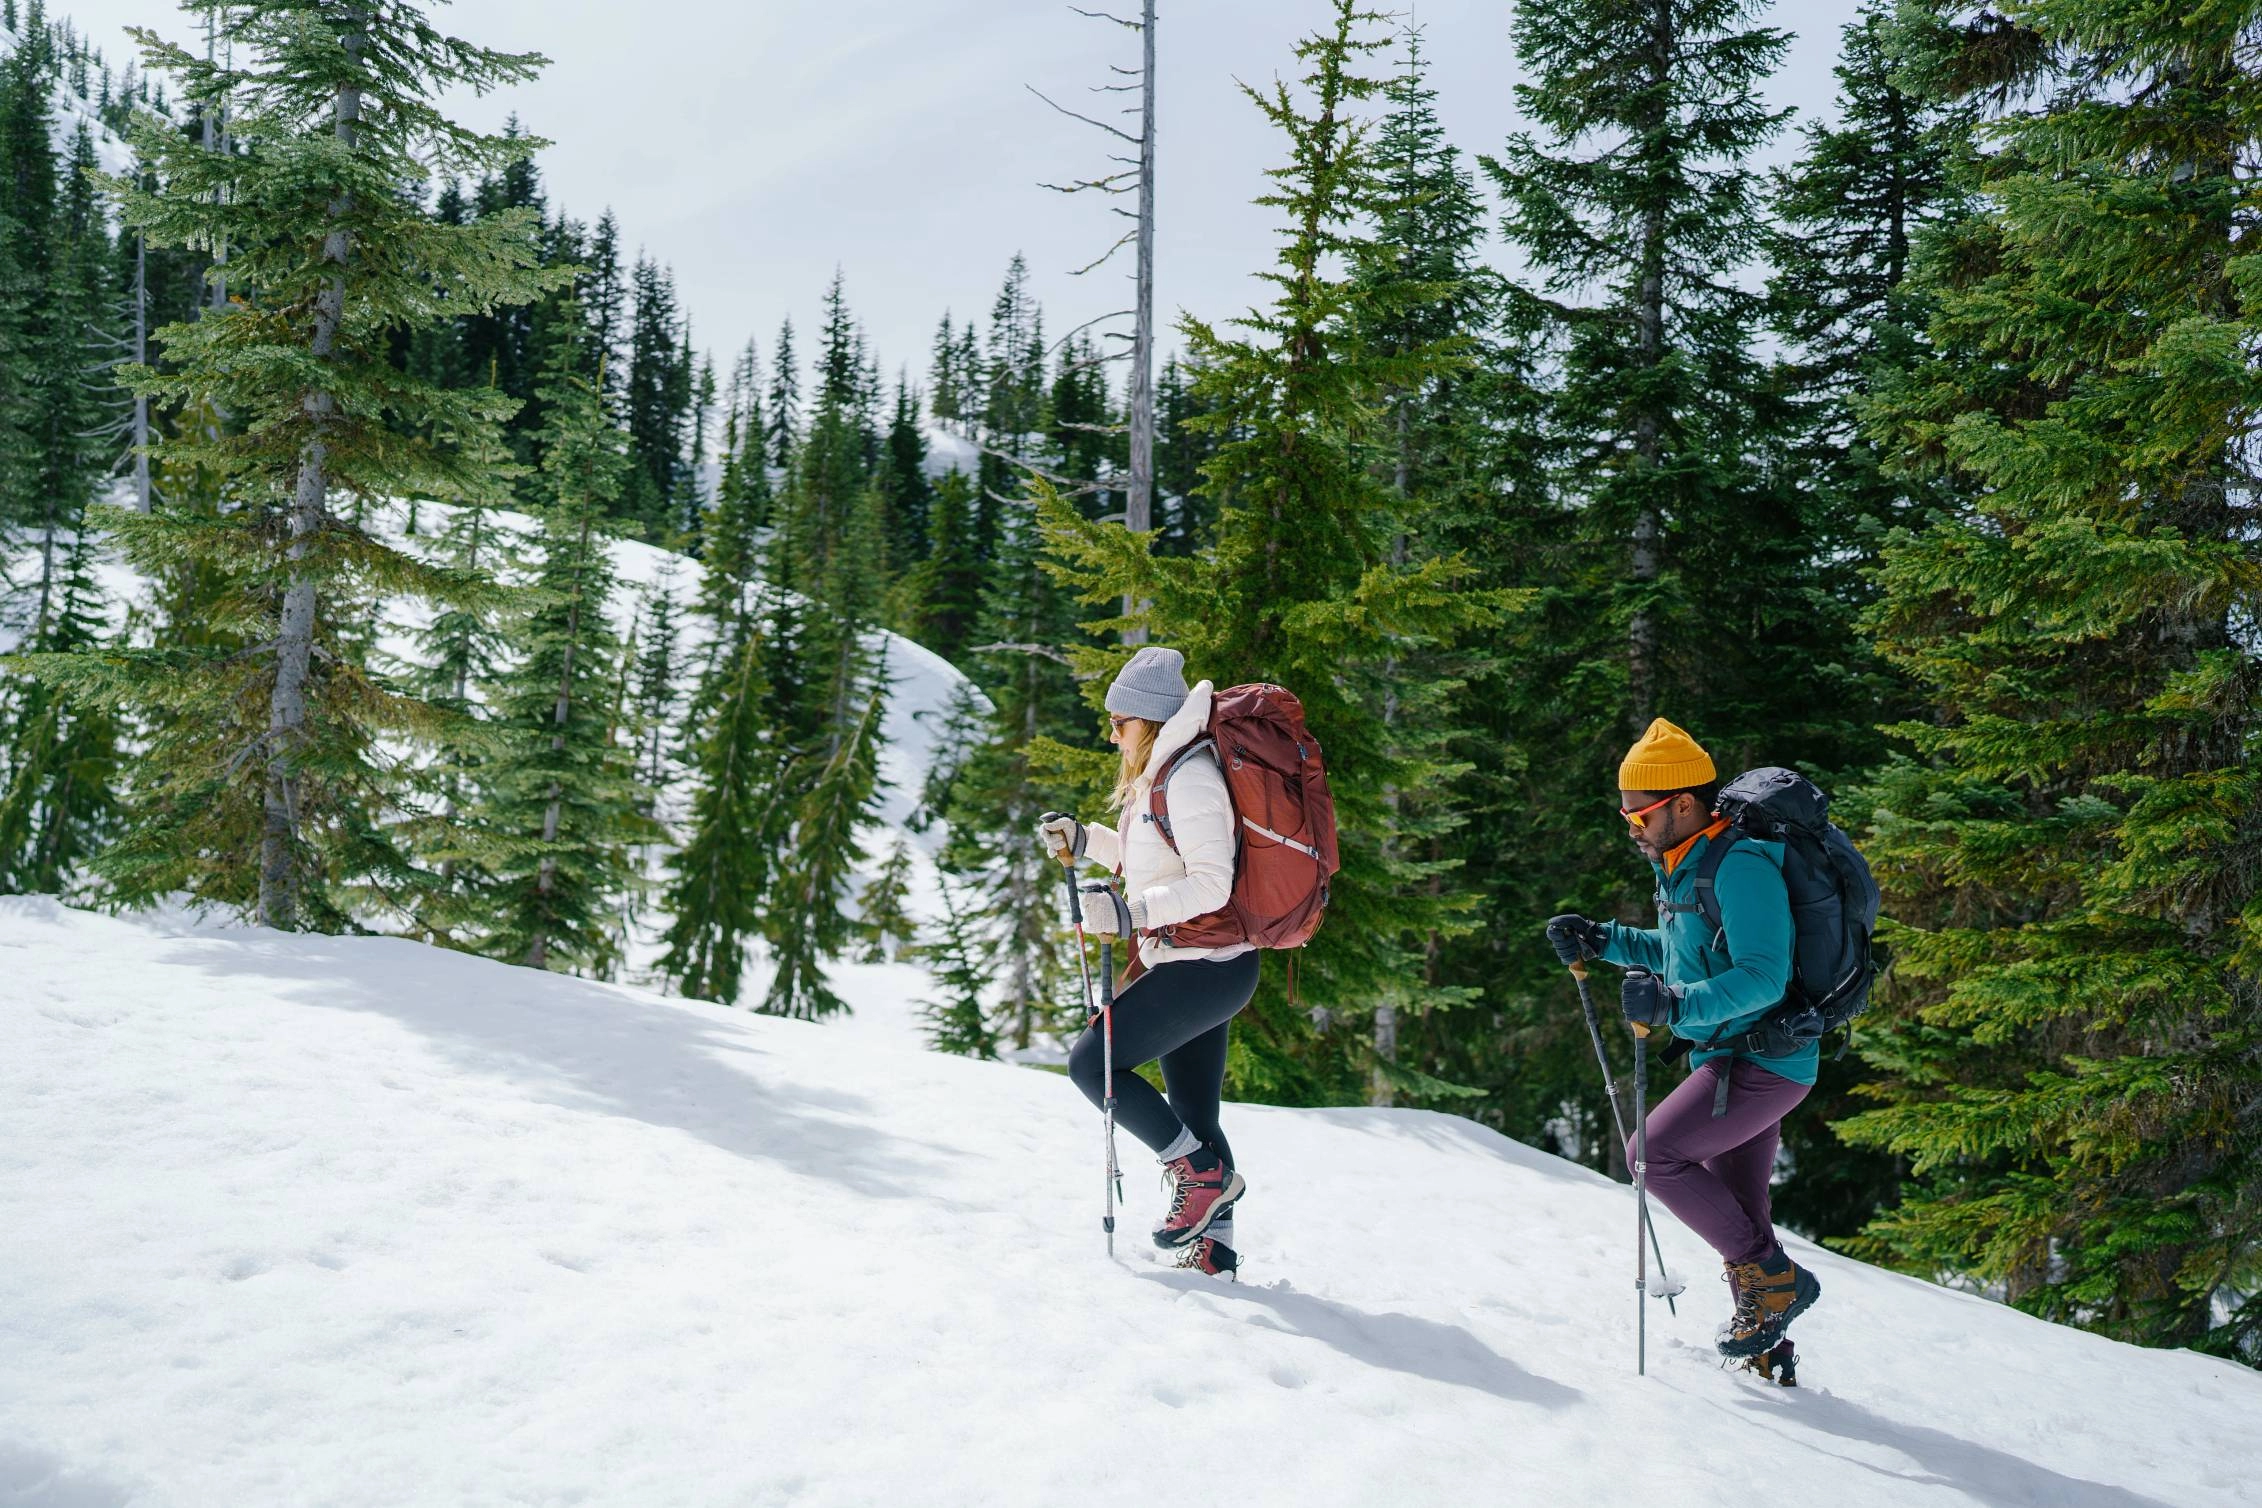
1903, 447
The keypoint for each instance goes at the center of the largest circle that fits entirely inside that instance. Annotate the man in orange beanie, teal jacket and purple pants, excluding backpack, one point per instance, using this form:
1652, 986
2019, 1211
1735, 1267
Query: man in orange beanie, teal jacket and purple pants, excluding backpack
1713, 1141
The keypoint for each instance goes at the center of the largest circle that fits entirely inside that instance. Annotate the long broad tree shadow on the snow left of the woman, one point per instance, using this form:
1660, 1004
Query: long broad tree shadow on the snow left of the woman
587, 1046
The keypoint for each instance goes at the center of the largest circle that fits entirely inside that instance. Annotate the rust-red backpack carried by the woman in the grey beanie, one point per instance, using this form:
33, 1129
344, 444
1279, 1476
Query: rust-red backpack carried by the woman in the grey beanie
1284, 842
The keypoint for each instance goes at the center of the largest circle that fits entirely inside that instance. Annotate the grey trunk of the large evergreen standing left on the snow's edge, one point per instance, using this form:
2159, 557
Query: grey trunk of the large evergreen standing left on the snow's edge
309, 512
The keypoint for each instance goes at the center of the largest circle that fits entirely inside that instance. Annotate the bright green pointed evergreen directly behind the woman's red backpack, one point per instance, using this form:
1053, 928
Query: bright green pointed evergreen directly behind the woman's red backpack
1302, 587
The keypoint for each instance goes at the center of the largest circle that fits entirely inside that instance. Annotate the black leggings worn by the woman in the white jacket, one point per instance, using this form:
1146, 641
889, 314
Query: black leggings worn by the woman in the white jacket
1177, 1014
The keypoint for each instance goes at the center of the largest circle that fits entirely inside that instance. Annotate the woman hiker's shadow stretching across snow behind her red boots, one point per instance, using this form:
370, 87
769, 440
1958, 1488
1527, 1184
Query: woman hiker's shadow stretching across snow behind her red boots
1392, 1342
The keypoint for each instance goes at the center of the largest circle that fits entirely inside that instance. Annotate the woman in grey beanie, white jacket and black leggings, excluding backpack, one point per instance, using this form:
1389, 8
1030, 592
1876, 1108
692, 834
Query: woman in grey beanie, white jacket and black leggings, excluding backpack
1180, 1009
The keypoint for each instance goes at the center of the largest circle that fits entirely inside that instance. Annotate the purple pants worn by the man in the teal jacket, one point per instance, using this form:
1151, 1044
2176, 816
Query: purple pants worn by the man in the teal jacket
1713, 1172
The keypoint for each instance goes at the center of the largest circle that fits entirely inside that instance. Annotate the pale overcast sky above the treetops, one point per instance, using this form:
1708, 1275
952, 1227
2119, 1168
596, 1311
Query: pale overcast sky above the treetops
759, 146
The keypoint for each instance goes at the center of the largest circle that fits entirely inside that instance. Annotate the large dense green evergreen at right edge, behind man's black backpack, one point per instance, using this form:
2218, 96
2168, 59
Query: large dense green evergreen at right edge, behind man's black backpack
2071, 1055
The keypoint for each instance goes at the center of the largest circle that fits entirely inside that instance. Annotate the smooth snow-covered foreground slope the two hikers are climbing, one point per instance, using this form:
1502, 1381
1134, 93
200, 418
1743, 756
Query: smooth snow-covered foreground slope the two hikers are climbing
295, 1222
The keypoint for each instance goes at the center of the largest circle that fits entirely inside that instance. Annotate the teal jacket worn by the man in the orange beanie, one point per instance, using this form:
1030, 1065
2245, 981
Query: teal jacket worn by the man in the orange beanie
1729, 982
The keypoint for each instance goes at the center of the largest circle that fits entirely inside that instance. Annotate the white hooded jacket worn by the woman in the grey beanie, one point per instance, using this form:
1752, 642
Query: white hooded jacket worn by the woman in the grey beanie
1195, 878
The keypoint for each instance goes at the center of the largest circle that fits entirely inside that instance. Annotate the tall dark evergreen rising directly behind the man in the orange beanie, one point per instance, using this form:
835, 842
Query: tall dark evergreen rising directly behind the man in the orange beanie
1675, 566
